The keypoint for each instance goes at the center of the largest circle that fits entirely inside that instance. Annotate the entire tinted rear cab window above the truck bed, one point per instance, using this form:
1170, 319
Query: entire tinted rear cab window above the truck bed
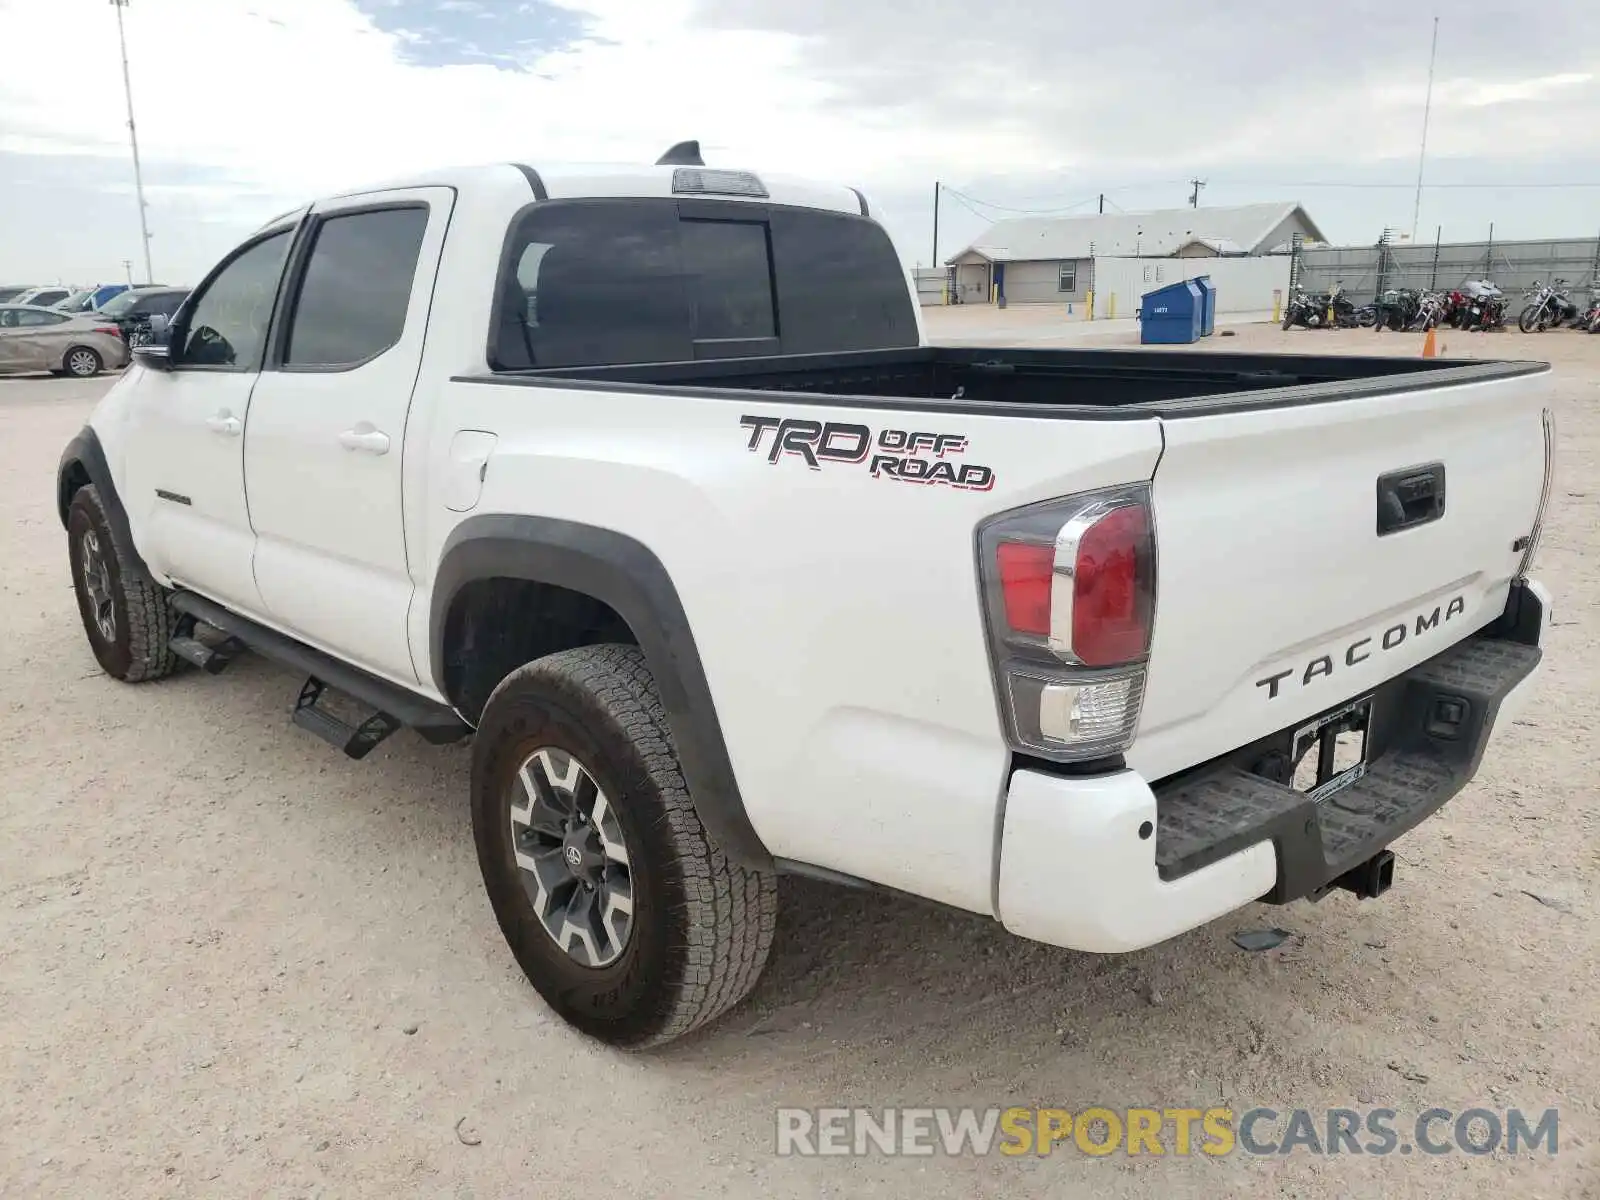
609, 282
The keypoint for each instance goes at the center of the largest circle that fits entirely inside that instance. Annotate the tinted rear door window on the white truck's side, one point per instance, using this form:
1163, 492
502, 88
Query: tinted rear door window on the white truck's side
358, 287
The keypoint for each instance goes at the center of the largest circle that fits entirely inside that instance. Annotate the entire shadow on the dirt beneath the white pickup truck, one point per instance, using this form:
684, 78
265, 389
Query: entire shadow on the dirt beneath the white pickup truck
868, 975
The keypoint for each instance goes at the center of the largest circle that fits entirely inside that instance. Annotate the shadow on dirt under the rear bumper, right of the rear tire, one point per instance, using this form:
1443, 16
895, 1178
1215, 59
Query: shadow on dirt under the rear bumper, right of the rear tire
900, 982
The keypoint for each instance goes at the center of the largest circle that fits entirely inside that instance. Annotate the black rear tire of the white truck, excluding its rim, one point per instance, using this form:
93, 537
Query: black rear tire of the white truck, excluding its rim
702, 926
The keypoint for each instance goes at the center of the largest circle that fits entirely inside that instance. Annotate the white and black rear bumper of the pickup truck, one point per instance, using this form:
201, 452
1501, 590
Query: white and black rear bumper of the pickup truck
1113, 865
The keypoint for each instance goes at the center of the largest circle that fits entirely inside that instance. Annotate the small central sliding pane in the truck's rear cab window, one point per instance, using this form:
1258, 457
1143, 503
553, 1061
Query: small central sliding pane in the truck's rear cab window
730, 279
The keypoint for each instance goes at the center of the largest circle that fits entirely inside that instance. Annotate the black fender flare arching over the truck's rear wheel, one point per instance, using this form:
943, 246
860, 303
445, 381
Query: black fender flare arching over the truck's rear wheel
626, 575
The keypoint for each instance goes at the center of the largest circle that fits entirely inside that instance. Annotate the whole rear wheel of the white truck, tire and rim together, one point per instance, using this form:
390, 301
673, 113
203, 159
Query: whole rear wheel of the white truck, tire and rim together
617, 905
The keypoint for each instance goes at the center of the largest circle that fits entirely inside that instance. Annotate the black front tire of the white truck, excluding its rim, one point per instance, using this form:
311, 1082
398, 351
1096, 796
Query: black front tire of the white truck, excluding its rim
138, 650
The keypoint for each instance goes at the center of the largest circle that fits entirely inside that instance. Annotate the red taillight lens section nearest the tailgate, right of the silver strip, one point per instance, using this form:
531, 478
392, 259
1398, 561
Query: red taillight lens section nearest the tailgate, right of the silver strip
1111, 590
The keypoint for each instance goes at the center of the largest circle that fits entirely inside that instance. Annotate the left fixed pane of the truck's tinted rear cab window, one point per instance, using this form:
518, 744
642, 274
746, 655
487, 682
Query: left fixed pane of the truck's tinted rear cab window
593, 284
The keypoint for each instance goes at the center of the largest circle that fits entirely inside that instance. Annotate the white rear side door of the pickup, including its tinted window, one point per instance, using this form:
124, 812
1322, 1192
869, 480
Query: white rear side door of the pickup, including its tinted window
324, 444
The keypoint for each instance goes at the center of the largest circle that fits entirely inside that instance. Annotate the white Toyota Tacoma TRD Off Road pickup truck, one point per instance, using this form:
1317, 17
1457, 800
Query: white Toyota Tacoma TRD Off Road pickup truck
649, 482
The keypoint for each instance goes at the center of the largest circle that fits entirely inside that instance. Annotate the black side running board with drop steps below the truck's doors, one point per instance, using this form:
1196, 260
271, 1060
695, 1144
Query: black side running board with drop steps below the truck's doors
393, 706
